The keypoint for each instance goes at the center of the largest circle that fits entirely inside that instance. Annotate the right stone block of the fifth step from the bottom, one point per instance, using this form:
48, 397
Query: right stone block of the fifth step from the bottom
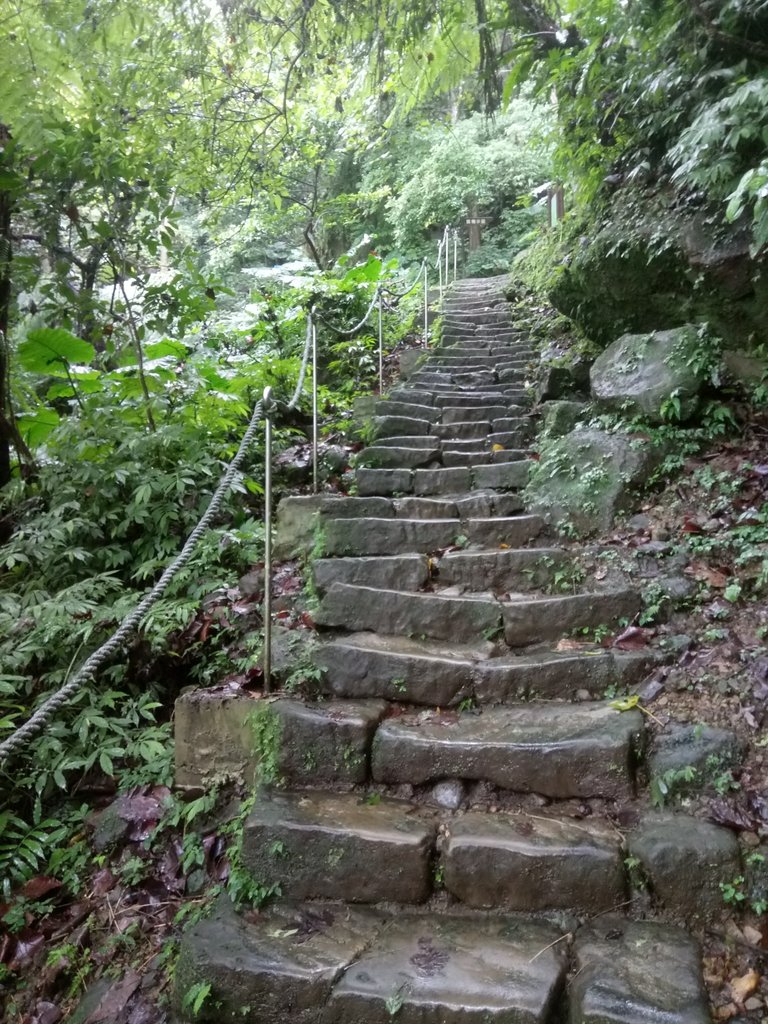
531, 621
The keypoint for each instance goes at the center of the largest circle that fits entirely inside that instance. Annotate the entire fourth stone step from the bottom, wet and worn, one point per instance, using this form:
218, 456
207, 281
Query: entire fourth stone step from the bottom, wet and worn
422, 672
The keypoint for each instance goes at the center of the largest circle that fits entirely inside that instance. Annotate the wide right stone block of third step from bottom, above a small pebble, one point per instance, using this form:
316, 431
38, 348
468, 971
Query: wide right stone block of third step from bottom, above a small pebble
559, 751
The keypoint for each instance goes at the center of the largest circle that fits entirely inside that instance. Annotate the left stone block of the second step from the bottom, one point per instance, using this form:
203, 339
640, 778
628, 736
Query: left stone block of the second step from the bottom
334, 846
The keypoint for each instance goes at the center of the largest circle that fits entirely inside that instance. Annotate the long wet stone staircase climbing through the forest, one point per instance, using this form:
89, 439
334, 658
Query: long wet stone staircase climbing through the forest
446, 842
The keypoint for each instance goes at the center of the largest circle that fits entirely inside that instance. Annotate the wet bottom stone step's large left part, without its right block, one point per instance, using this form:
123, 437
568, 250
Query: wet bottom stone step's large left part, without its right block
332, 964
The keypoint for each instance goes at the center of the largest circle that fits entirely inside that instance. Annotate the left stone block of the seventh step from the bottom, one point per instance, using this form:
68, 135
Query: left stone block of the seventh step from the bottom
389, 537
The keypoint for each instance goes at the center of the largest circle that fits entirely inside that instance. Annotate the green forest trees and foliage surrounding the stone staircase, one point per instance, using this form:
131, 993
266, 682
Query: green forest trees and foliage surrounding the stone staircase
181, 182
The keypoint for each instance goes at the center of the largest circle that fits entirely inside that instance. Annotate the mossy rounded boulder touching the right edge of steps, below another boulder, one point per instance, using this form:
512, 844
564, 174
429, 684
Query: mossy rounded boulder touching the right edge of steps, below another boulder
587, 478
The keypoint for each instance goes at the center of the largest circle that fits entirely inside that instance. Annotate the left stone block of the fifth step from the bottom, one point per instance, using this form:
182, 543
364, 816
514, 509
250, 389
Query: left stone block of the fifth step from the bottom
395, 612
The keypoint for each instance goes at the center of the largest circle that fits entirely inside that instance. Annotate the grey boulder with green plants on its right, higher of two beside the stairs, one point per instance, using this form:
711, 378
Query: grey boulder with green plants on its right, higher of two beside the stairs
639, 373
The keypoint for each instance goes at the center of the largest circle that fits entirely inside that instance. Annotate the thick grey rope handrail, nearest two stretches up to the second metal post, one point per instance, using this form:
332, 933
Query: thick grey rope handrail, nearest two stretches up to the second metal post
96, 661
